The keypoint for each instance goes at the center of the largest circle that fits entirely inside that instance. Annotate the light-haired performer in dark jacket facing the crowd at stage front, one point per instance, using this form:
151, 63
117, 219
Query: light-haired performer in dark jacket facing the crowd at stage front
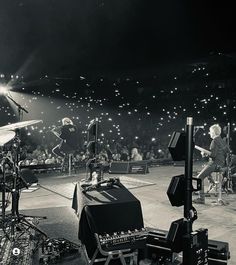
69, 138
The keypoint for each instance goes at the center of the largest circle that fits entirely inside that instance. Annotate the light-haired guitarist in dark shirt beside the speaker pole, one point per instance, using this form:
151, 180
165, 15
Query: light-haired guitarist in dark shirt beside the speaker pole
217, 159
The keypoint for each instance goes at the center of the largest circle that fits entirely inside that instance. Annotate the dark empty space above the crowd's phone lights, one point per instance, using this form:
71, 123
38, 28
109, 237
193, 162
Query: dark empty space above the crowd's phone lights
78, 36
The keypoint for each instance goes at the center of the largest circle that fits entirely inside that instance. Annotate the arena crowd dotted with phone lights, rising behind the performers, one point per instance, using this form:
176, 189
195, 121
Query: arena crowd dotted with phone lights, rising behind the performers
139, 111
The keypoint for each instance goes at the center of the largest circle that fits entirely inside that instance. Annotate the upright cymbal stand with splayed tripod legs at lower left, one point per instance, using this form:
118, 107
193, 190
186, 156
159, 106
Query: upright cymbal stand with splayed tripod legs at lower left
15, 222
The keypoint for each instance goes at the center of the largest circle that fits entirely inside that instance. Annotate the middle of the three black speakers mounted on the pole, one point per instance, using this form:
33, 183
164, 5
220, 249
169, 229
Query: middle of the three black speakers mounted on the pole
176, 190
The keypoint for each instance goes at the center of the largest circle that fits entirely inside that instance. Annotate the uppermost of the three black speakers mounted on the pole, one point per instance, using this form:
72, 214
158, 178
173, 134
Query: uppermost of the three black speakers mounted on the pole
176, 146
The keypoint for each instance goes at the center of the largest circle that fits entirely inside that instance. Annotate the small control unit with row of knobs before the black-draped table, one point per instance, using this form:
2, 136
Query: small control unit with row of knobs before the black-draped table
122, 240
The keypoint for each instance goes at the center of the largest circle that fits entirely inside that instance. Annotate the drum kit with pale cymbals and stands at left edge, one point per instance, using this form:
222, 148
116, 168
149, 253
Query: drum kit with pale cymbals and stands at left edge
9, 165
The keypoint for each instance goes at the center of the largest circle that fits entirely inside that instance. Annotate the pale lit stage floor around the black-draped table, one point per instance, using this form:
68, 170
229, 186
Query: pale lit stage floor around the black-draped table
56, 192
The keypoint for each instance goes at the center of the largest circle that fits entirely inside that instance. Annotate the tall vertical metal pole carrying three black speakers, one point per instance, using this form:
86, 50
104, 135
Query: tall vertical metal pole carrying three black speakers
188, 174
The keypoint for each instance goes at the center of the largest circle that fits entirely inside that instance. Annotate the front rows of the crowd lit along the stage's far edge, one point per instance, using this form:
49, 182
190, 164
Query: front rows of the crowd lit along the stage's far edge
42, 155
